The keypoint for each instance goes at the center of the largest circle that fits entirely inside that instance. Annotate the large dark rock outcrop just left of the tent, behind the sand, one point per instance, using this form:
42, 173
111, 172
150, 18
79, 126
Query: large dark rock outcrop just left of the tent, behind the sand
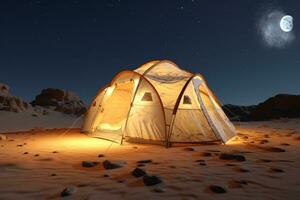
60, 100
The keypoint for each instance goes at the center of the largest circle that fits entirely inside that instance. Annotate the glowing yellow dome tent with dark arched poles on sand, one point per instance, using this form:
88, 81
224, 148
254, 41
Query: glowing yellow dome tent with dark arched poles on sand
157, 103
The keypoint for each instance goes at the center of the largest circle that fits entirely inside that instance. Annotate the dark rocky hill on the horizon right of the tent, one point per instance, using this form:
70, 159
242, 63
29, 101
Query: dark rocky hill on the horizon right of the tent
279, 106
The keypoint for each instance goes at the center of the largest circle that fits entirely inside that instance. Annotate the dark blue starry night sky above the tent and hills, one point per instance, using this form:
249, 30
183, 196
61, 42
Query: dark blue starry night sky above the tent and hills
80, 45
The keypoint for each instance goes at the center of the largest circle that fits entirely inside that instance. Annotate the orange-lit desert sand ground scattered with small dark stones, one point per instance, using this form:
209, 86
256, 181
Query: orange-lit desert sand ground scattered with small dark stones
41, 164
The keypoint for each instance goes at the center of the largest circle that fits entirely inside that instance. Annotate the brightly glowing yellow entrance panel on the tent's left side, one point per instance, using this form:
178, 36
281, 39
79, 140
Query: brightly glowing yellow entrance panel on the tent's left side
114, 111
